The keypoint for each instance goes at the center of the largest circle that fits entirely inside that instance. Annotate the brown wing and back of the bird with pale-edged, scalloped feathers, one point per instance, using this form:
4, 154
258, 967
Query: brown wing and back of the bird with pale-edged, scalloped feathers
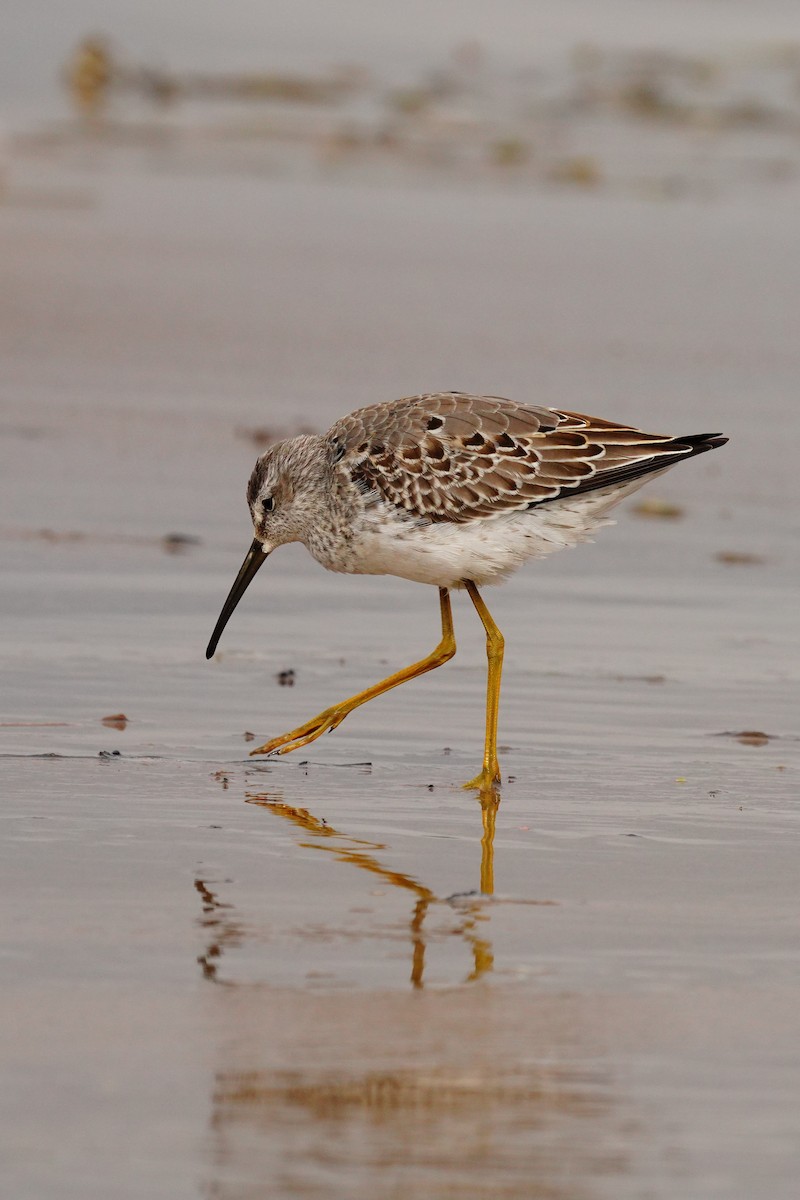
455, 458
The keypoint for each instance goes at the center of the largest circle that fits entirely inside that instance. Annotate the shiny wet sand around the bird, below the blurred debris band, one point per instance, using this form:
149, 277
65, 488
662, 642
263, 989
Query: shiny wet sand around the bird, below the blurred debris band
236, 979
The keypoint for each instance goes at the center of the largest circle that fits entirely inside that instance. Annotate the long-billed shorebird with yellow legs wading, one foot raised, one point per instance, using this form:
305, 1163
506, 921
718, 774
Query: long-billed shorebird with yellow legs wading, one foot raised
452, 490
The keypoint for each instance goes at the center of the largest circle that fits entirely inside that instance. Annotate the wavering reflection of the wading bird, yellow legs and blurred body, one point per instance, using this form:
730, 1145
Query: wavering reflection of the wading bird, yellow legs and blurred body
317, 1090
